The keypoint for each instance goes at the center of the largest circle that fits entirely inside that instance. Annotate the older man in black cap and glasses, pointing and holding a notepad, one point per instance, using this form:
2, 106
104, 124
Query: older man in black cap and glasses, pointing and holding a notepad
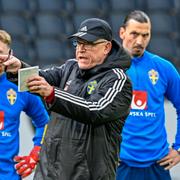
91, 95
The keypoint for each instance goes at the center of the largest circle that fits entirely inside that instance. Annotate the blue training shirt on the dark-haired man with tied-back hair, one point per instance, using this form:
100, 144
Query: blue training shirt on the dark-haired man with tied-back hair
144, 134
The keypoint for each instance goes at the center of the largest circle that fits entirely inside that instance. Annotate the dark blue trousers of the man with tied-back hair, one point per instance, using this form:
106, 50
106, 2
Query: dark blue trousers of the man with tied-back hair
153, 172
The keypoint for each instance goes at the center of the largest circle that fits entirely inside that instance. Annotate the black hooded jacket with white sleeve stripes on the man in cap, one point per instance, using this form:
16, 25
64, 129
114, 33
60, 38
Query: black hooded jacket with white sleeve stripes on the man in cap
83, 139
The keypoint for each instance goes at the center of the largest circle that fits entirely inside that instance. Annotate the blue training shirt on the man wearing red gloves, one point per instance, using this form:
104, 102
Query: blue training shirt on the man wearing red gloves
12, 103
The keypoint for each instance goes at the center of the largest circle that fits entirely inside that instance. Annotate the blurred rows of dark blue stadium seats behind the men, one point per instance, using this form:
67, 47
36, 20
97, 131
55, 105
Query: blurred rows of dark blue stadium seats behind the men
40, 27
